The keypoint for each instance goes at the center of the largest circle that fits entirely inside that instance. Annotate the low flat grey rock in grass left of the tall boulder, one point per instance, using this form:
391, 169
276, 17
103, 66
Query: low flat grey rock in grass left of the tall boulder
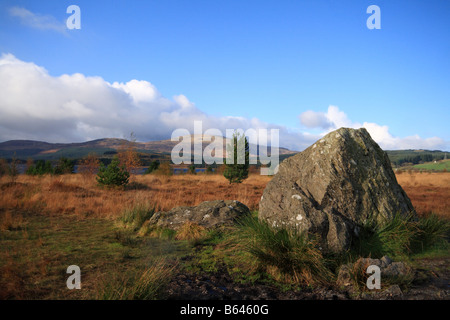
208, 214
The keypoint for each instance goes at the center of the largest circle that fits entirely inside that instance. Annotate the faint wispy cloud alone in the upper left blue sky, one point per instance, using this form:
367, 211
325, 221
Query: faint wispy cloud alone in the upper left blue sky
37, 21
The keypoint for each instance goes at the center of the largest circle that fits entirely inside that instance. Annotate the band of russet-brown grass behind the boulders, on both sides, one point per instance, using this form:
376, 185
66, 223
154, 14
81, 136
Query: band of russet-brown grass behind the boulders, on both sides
75, 194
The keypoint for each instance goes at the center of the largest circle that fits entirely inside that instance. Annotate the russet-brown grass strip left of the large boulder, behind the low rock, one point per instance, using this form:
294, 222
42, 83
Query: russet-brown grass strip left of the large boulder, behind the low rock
74, 194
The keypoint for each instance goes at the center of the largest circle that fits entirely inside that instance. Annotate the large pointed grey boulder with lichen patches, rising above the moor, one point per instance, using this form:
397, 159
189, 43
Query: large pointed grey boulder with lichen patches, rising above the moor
333, 187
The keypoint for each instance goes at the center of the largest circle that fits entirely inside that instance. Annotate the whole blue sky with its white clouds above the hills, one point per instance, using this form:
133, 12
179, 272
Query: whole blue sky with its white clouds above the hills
303, 67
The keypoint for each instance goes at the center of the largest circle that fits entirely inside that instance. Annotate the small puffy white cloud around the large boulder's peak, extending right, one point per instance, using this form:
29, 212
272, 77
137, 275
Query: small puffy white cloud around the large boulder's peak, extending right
335, 118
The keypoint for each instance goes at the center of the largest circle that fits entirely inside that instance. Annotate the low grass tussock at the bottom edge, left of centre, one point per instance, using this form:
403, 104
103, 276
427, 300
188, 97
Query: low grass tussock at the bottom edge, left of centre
147, 285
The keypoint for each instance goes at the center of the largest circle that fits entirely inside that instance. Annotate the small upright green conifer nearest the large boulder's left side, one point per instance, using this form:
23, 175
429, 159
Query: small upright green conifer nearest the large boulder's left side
237, 172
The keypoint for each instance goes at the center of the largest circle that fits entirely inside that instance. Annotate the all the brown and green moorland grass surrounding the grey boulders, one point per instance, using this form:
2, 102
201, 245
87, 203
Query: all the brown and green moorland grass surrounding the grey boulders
48, 223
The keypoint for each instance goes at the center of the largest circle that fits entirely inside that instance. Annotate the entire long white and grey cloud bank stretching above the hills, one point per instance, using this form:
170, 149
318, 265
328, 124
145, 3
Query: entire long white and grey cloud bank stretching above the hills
73, 108
